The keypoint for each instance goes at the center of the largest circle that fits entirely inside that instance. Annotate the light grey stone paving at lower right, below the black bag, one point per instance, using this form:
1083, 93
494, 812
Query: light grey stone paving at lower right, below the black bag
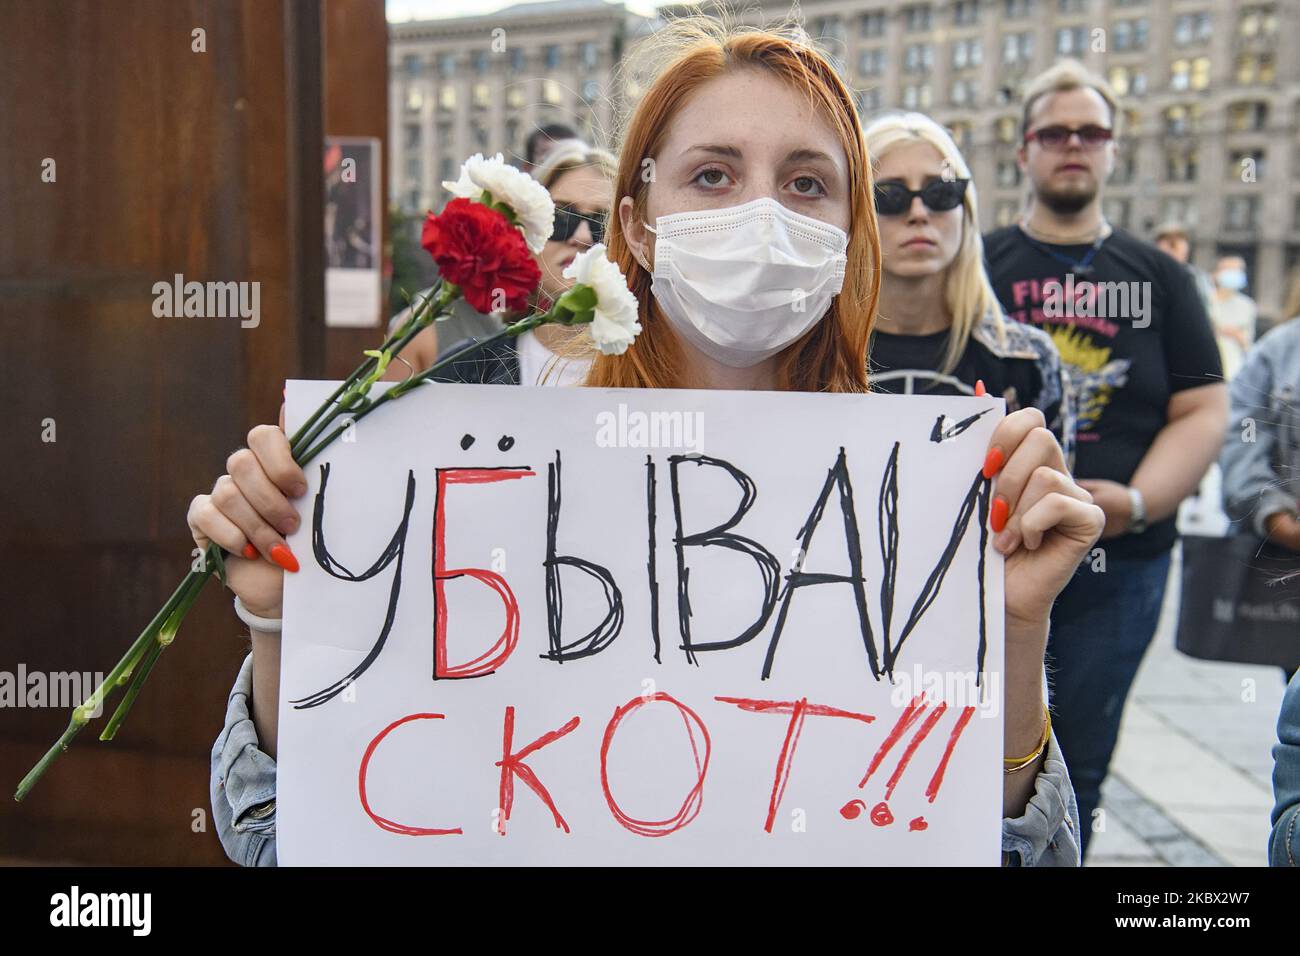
1191, 780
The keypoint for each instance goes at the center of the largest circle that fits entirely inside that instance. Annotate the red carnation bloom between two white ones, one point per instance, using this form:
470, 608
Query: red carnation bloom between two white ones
479, 250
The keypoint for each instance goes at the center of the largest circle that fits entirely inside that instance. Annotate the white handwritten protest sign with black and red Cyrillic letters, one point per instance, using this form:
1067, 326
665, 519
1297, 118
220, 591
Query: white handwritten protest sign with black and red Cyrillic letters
606, 626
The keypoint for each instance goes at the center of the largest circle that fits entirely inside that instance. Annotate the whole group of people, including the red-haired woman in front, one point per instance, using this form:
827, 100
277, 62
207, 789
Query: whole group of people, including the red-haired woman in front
1113, 356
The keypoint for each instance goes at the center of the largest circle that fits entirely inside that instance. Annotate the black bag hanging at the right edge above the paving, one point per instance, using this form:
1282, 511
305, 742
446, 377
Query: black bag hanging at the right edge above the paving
1241, 602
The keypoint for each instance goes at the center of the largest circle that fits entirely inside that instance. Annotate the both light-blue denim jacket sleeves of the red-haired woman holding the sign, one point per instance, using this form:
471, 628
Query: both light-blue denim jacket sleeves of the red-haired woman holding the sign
244, 798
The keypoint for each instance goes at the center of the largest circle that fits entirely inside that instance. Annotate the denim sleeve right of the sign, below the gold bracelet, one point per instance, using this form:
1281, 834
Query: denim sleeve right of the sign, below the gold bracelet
1047, 834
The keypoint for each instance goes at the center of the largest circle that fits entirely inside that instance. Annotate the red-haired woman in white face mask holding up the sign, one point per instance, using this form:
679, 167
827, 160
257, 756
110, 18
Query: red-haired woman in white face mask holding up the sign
743, 218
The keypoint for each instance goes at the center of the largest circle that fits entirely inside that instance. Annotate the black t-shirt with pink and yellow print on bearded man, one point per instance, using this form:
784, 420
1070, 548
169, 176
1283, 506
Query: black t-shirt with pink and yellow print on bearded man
1136, 334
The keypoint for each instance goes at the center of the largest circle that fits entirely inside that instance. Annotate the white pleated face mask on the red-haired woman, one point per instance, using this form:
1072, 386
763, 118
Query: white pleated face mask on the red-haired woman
742, 284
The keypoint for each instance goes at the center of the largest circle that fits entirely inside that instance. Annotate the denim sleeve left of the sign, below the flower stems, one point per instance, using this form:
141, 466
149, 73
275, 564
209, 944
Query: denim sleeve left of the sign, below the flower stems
244, 784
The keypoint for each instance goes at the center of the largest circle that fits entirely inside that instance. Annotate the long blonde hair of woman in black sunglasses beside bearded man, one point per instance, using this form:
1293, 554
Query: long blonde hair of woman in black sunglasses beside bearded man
968, 293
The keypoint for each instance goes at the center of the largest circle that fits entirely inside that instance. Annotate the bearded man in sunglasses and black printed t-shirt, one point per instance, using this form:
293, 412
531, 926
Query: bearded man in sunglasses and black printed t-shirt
1147, 384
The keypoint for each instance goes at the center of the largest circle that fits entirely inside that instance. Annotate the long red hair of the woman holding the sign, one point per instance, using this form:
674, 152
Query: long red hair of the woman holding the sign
670, 66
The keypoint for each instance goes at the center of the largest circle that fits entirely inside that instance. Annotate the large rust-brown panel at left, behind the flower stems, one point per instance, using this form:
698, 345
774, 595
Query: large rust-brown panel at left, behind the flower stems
168, 162
